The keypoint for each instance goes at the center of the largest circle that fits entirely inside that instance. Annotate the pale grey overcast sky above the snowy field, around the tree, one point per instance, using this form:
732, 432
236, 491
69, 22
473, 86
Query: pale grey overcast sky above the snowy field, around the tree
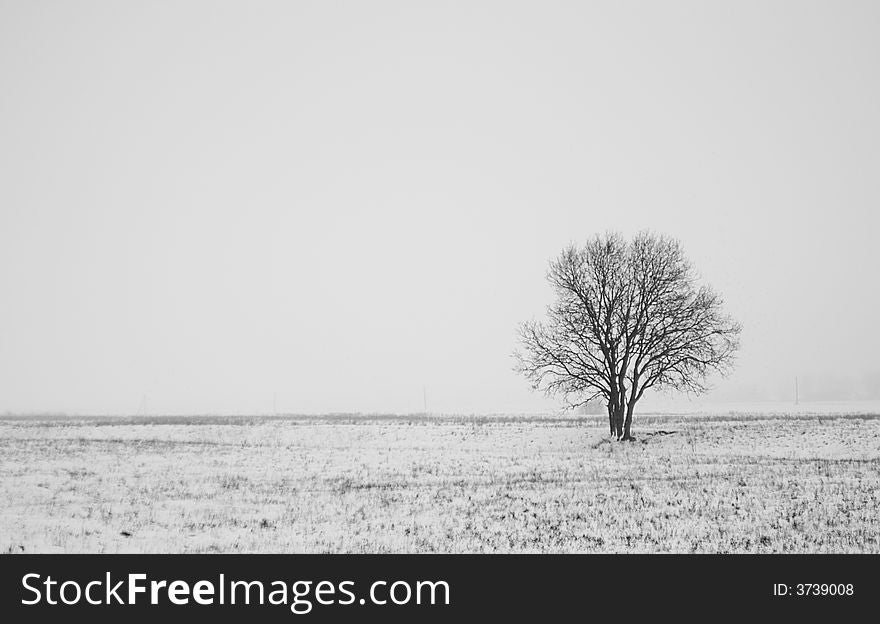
316, 207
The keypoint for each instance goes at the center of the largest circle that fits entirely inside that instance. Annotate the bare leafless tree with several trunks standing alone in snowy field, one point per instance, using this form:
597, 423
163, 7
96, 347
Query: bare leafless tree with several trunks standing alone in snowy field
628, 316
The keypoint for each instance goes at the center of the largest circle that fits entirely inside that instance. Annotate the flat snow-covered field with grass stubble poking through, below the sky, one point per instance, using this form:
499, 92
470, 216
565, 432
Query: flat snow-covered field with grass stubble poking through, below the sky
738, 481
